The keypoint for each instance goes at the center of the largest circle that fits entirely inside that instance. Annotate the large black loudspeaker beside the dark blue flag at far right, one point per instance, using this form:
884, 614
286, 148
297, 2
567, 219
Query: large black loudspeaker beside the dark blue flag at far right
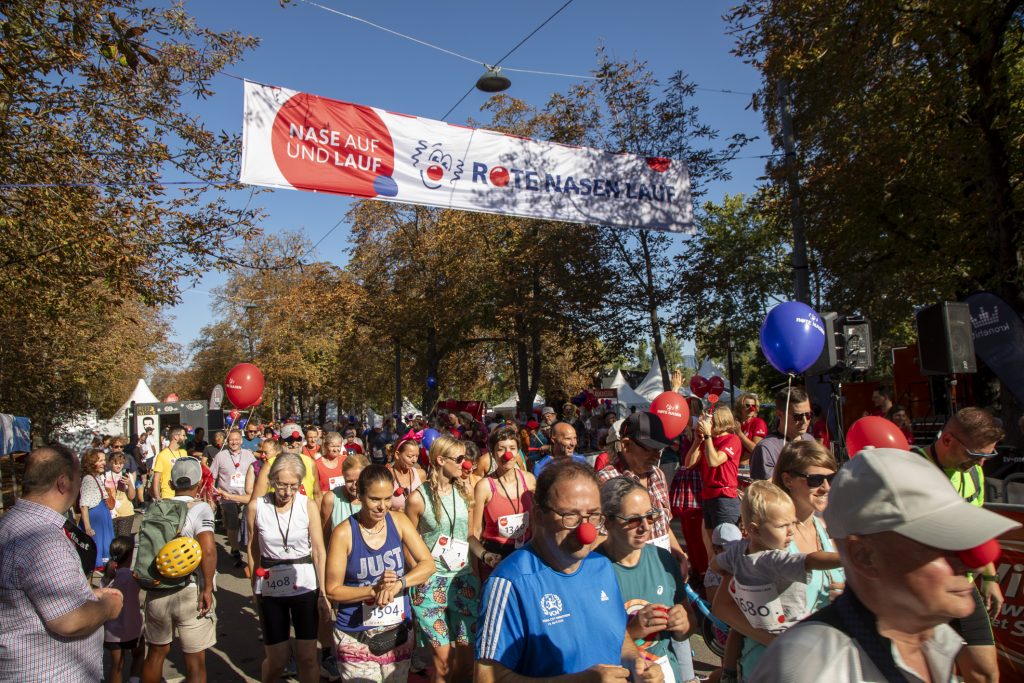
946, 340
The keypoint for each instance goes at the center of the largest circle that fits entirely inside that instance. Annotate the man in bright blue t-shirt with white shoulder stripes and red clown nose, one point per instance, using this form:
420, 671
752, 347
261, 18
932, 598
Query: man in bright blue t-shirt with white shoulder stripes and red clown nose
552, 608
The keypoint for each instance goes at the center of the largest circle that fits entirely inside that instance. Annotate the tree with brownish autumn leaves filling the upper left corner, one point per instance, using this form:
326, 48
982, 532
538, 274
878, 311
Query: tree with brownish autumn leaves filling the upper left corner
92, 119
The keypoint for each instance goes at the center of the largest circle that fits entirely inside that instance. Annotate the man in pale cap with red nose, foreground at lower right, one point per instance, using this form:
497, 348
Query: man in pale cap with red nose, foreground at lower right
906, 539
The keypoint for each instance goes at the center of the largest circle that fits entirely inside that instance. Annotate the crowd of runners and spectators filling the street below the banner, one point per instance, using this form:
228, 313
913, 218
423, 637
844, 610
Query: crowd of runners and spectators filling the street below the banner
495, 550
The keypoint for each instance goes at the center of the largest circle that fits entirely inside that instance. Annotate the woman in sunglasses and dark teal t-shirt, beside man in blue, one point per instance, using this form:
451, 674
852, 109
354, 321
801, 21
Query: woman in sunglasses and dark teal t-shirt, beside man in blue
650, 580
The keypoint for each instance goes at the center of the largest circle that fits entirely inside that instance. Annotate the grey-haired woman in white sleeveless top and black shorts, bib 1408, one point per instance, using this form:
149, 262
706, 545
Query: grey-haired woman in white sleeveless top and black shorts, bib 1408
287, 564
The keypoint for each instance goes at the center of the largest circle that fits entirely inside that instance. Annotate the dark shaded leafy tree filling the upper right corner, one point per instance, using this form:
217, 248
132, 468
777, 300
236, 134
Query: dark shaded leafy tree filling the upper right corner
908, 124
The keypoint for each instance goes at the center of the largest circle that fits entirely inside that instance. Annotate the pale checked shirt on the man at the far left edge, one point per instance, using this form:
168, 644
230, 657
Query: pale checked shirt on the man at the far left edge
41, 580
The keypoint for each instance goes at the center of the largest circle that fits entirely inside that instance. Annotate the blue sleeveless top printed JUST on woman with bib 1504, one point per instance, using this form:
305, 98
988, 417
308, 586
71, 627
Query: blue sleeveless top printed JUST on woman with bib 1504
366, 567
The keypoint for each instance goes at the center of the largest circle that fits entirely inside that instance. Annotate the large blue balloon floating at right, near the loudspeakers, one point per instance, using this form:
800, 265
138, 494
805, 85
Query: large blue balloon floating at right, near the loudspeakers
792, 337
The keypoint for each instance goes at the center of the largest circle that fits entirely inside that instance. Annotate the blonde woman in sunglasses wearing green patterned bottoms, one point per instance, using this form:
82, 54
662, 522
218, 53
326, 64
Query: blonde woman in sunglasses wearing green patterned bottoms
447, 606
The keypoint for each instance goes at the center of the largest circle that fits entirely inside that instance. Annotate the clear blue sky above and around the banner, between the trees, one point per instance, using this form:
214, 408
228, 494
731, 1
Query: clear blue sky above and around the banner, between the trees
309, 49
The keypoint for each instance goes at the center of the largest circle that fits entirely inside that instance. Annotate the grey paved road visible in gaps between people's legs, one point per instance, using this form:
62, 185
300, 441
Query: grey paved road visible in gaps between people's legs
240, 650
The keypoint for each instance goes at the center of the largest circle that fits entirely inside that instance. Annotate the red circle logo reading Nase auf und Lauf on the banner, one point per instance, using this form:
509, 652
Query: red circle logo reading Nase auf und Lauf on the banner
333, 147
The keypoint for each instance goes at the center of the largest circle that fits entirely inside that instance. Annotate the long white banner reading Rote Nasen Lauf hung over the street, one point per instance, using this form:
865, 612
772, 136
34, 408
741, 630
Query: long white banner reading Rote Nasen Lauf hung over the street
302, 142
